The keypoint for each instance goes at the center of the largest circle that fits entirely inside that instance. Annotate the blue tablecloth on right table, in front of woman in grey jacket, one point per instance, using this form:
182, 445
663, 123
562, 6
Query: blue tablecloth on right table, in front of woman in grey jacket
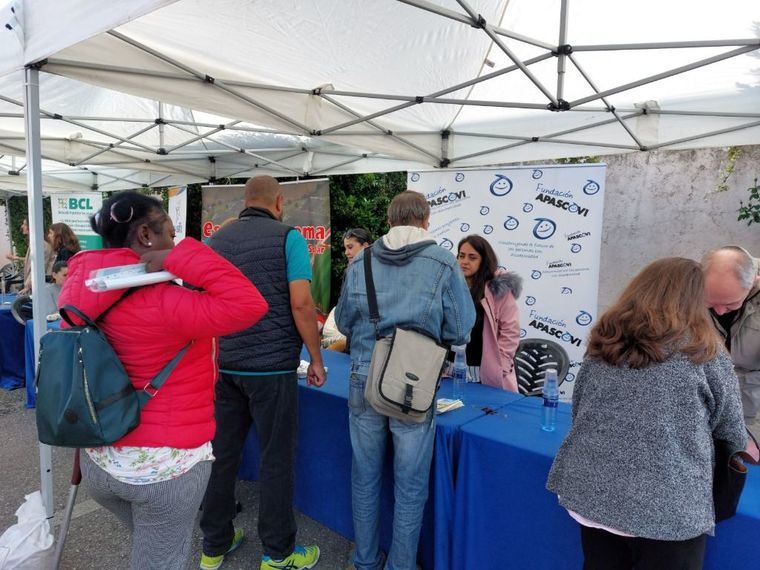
503, 511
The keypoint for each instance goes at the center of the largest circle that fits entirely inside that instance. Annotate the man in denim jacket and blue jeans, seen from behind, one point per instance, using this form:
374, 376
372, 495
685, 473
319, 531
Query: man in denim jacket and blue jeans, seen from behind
419, 286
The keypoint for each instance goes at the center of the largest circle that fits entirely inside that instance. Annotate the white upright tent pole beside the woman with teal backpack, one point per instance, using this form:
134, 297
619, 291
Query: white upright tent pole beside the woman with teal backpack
34, 196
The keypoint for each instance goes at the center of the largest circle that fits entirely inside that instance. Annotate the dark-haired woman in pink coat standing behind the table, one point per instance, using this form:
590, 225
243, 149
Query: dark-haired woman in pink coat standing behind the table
496, 334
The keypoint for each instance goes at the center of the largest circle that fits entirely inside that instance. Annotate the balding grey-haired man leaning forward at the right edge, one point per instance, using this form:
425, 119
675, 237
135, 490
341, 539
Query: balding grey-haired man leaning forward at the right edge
732, 293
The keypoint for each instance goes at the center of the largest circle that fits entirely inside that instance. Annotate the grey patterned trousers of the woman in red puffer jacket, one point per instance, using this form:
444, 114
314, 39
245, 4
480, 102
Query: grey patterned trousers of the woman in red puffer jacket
161, 516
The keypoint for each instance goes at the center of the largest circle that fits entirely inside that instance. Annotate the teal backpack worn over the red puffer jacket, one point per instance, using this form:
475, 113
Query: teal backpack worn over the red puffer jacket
84, 396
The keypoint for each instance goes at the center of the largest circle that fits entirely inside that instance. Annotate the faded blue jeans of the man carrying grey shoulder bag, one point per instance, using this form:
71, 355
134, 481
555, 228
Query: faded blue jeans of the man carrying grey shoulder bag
412, 453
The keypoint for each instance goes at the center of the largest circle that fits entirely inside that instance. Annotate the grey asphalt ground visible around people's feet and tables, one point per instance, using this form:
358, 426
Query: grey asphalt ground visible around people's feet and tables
96, 539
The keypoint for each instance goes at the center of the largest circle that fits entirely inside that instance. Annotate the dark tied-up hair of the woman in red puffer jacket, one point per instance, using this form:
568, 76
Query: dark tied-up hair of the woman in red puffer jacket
121, 215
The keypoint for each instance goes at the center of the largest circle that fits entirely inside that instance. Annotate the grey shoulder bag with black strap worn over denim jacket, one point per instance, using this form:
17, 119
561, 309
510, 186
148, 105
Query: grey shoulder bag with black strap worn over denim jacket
405, 369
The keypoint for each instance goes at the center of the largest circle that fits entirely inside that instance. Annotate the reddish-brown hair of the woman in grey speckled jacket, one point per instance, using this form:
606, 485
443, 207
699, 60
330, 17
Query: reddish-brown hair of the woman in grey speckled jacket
662, 310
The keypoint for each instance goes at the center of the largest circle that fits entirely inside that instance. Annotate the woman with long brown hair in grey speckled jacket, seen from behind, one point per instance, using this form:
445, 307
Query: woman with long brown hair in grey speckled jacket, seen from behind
655, 388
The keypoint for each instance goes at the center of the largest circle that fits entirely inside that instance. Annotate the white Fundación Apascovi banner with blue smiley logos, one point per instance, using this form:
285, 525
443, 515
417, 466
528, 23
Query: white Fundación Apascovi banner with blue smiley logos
545, 223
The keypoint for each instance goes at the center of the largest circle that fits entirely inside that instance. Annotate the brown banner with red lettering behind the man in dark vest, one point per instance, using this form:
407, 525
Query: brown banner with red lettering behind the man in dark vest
307, 209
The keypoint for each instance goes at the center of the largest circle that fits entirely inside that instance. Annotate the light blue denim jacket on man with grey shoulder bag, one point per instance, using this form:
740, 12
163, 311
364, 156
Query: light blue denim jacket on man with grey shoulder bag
419, 286
